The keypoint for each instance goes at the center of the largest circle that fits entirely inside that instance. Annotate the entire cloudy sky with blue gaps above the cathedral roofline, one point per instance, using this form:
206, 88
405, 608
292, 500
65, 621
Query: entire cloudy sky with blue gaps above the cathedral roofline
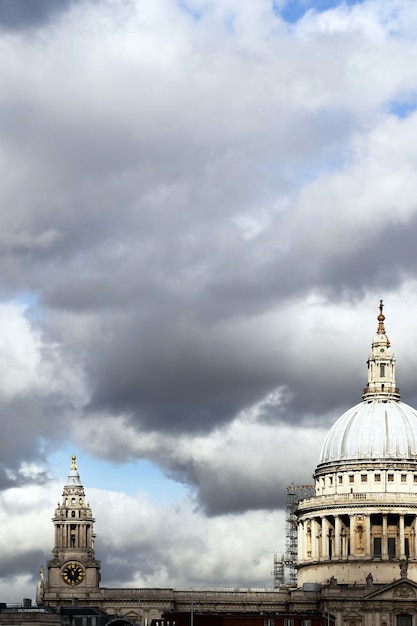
202, 203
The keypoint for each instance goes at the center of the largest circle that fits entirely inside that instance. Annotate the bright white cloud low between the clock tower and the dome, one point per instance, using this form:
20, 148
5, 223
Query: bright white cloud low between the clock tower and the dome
160, 546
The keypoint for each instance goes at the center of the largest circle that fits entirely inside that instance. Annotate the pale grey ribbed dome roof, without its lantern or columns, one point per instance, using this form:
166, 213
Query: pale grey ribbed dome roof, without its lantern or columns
373, 430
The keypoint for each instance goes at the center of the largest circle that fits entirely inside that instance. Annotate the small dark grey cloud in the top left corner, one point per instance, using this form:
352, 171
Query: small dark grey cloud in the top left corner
22, 14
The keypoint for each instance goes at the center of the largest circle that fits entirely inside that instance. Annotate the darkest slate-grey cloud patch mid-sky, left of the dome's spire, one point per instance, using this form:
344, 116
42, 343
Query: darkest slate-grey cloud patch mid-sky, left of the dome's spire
176, 377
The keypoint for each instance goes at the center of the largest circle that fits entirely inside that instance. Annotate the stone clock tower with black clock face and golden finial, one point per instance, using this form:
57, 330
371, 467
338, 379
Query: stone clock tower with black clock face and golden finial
73, 571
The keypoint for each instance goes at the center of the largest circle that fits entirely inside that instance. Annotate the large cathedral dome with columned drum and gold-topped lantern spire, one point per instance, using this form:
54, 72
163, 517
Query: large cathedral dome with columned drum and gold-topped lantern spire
360, 526
